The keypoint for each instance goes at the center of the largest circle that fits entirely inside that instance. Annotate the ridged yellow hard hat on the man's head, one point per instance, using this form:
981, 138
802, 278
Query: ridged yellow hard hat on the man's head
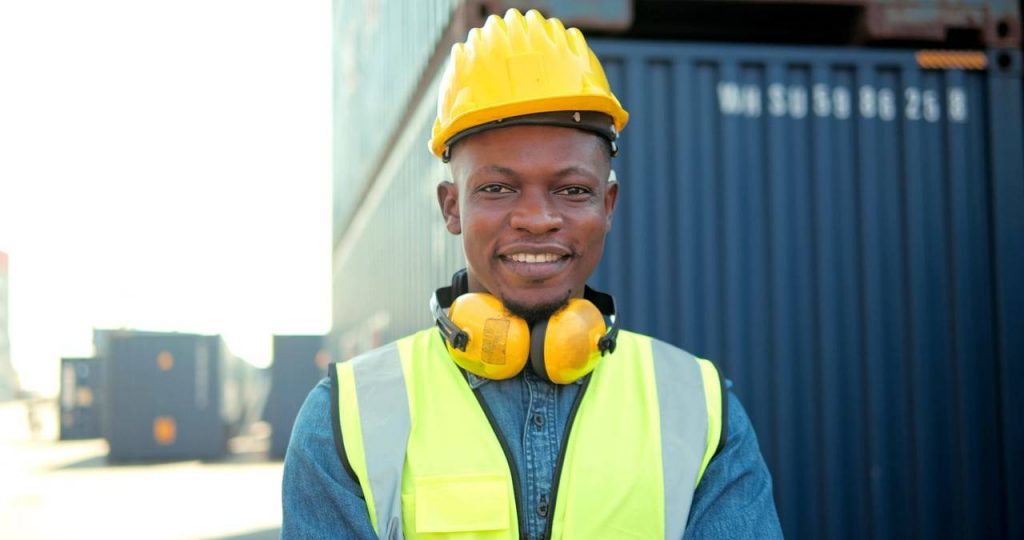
524, 70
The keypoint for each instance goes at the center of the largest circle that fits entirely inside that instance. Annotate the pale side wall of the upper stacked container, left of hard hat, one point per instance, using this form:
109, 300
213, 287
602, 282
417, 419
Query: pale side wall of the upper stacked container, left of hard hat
381, 52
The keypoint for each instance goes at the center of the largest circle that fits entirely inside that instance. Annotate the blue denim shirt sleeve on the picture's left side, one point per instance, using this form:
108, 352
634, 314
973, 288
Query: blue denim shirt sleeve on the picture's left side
320, 500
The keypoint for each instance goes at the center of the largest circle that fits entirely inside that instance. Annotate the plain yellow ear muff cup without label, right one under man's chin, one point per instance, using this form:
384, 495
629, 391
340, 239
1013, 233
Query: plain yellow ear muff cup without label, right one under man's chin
571, 342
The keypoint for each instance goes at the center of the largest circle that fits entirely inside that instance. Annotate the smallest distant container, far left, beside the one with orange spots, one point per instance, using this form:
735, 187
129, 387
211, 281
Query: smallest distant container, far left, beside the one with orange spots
80, 402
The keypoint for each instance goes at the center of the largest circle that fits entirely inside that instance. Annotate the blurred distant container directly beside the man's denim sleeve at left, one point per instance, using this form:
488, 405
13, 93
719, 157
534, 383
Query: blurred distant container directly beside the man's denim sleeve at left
300, 363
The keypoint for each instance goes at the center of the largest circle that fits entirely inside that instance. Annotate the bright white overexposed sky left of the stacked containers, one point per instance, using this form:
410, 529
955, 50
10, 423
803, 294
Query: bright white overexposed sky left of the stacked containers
164, 167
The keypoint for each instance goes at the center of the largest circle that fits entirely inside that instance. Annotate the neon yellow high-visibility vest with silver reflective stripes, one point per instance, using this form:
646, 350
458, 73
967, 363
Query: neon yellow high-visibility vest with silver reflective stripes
434, 465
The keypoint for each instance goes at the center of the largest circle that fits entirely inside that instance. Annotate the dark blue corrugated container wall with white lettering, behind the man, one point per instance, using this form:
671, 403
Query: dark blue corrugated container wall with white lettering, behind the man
841, 231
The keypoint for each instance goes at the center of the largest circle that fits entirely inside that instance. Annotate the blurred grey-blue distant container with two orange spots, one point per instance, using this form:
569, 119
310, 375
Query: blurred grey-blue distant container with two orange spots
172, 396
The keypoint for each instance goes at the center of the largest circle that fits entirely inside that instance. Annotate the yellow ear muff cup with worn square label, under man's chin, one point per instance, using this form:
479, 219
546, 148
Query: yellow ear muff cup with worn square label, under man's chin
499, 342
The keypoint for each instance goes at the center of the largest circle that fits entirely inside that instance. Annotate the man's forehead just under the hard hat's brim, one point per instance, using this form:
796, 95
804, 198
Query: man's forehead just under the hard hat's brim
531, 150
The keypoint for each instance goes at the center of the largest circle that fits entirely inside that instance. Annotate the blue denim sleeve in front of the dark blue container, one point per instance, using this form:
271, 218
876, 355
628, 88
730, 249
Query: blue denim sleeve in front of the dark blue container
735, 497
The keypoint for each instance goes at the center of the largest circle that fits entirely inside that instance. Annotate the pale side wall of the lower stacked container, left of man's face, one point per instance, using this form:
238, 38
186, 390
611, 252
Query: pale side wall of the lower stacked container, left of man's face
397, 252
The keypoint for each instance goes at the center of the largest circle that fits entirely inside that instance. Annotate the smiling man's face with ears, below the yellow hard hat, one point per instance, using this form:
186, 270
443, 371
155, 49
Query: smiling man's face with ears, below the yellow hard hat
534, 206
